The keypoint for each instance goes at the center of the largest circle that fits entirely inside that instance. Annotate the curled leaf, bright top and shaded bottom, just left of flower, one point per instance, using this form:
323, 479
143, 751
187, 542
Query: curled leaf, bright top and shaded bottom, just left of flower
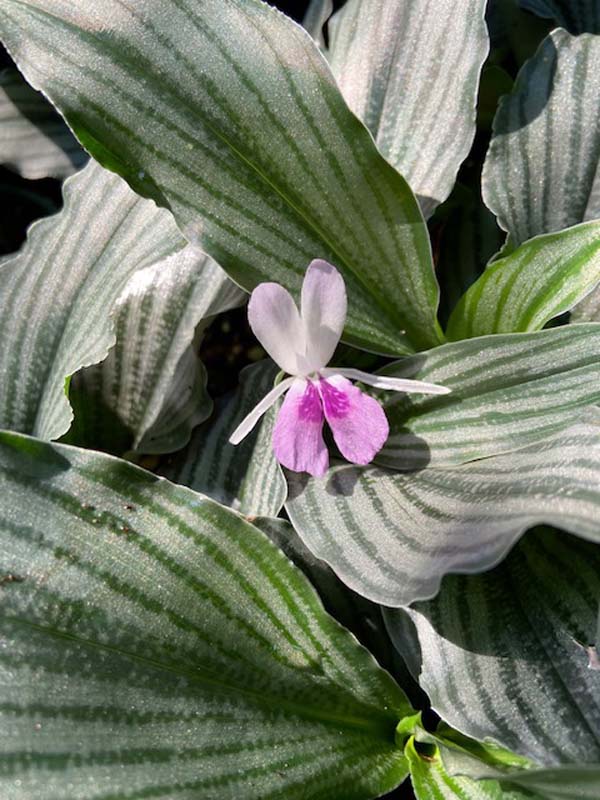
151, 388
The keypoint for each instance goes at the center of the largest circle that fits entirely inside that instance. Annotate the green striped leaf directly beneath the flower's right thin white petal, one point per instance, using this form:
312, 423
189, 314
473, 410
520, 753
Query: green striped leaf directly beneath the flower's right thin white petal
507, 391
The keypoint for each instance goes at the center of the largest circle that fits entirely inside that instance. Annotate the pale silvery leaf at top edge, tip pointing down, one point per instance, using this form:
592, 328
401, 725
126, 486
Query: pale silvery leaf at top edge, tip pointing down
410, 71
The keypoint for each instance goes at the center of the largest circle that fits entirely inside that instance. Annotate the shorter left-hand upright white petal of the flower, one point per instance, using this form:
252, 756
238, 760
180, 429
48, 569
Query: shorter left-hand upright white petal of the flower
276, 323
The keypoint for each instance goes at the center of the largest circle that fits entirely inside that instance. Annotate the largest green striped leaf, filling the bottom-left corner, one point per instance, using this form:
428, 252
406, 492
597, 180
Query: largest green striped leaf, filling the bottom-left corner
158, 645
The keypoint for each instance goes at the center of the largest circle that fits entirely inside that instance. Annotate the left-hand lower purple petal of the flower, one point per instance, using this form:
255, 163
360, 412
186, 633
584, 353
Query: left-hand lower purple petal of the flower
298, 433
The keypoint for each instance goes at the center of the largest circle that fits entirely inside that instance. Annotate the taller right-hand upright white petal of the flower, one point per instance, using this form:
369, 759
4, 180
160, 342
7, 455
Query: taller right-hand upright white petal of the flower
323, 309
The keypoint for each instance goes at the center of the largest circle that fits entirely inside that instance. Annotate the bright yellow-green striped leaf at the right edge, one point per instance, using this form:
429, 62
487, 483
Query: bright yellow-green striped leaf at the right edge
539, 280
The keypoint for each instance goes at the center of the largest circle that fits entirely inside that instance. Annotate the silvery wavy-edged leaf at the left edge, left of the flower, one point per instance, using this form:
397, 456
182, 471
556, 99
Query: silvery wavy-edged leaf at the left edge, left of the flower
58, 291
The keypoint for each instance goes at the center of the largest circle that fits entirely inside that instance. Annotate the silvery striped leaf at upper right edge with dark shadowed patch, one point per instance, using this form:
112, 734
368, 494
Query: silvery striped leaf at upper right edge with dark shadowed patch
541, 170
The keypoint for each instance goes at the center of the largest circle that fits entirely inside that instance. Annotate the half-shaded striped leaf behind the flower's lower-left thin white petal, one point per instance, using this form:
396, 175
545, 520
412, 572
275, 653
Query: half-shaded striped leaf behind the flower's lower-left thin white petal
246, 477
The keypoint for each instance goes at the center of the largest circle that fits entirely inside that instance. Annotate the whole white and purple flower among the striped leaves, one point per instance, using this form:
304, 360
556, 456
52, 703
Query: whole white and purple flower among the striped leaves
302, 343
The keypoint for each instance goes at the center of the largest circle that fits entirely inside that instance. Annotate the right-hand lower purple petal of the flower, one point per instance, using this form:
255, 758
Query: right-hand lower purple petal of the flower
359, 425
